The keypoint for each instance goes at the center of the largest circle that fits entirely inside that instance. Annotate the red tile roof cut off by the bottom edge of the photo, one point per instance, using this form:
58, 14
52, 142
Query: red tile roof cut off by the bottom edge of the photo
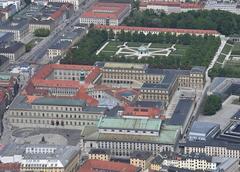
99, 165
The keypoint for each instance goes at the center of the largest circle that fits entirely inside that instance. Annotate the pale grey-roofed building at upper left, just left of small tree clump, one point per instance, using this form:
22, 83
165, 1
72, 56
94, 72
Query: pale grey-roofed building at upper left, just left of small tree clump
18, 27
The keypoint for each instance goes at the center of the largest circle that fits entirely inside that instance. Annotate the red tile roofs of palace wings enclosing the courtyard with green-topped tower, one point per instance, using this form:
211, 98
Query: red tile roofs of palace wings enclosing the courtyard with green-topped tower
37, 84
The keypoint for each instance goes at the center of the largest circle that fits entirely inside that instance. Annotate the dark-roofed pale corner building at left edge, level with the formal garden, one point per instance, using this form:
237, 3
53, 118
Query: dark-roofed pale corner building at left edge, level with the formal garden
13, 51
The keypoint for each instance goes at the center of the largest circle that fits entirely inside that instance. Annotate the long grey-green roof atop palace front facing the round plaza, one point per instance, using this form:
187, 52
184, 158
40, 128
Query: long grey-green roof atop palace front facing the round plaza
59, 102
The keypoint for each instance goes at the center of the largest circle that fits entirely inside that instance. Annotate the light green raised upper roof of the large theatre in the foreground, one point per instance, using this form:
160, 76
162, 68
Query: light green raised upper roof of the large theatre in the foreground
128, 123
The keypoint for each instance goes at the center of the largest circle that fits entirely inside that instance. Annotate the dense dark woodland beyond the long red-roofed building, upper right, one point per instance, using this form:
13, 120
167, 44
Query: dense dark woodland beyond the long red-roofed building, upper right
225, 22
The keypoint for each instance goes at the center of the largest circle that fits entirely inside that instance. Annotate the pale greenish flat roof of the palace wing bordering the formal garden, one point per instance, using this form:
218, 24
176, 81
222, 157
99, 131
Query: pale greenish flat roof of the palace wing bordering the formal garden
125, 65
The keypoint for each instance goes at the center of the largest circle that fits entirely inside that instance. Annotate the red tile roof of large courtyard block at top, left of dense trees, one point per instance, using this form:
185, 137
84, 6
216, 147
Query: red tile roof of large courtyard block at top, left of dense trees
105, 10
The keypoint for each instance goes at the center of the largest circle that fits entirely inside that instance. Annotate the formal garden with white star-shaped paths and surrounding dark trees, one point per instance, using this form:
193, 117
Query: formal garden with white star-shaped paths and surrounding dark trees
162, 50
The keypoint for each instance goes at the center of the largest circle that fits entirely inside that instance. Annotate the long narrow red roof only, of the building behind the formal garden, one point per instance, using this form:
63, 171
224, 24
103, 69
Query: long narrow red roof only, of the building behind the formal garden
148, 29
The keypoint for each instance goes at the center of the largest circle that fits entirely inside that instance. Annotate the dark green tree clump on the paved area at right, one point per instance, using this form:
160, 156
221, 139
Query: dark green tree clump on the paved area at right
212, 105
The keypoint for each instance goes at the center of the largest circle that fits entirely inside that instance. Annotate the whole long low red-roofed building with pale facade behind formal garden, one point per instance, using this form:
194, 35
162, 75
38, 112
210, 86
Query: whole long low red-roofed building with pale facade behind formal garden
146, 30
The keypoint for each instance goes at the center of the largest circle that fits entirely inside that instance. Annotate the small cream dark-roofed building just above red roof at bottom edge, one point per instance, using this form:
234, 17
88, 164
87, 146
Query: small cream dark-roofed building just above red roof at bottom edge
100, 154
